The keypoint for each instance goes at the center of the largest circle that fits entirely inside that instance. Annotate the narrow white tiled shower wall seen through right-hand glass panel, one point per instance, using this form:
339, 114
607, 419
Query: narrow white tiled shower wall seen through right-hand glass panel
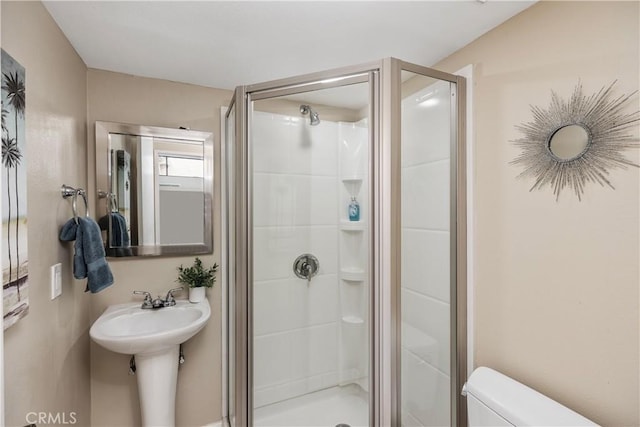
425, 257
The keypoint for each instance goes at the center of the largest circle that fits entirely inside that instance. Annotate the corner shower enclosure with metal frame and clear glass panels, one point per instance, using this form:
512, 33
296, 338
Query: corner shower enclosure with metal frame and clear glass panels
345, 255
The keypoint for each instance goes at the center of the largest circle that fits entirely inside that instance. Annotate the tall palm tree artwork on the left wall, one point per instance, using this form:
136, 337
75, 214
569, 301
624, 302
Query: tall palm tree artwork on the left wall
14, 209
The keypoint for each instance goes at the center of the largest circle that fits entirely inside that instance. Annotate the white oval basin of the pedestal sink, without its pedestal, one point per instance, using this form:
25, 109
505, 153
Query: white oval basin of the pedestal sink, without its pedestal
129, 329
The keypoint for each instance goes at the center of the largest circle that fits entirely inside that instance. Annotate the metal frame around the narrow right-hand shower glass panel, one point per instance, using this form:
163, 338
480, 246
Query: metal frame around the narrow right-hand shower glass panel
457, 229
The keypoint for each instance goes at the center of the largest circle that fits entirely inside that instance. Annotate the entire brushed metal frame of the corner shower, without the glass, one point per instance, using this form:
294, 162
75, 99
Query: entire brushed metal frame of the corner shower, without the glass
384, 234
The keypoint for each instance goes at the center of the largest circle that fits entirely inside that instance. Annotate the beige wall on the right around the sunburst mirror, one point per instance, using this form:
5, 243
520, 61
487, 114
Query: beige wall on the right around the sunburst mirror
556, 282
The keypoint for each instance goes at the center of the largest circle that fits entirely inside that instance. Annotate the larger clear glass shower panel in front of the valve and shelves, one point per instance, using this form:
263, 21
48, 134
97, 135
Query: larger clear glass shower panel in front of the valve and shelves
310, 156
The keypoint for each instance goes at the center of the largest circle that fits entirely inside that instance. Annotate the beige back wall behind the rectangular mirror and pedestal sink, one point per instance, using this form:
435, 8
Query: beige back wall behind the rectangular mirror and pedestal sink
128, 99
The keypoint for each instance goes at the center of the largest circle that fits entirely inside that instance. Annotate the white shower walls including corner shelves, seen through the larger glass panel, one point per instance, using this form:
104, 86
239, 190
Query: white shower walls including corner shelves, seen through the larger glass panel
308, 336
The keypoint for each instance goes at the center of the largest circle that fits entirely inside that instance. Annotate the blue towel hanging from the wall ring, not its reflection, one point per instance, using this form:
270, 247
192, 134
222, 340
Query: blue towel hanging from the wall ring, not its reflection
88, 260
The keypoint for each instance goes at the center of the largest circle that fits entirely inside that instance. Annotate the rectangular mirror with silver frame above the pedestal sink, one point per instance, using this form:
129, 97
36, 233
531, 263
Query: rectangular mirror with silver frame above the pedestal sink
155, 189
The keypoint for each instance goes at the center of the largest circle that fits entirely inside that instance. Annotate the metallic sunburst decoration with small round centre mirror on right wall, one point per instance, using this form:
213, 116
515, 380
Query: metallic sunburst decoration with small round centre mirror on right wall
597, 119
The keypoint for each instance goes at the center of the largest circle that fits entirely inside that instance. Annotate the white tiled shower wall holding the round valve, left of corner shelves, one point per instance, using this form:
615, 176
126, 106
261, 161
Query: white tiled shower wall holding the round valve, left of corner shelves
296, 324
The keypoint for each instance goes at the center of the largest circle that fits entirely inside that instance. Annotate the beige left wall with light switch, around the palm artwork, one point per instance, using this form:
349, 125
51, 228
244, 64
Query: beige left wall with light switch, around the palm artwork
46, 354
